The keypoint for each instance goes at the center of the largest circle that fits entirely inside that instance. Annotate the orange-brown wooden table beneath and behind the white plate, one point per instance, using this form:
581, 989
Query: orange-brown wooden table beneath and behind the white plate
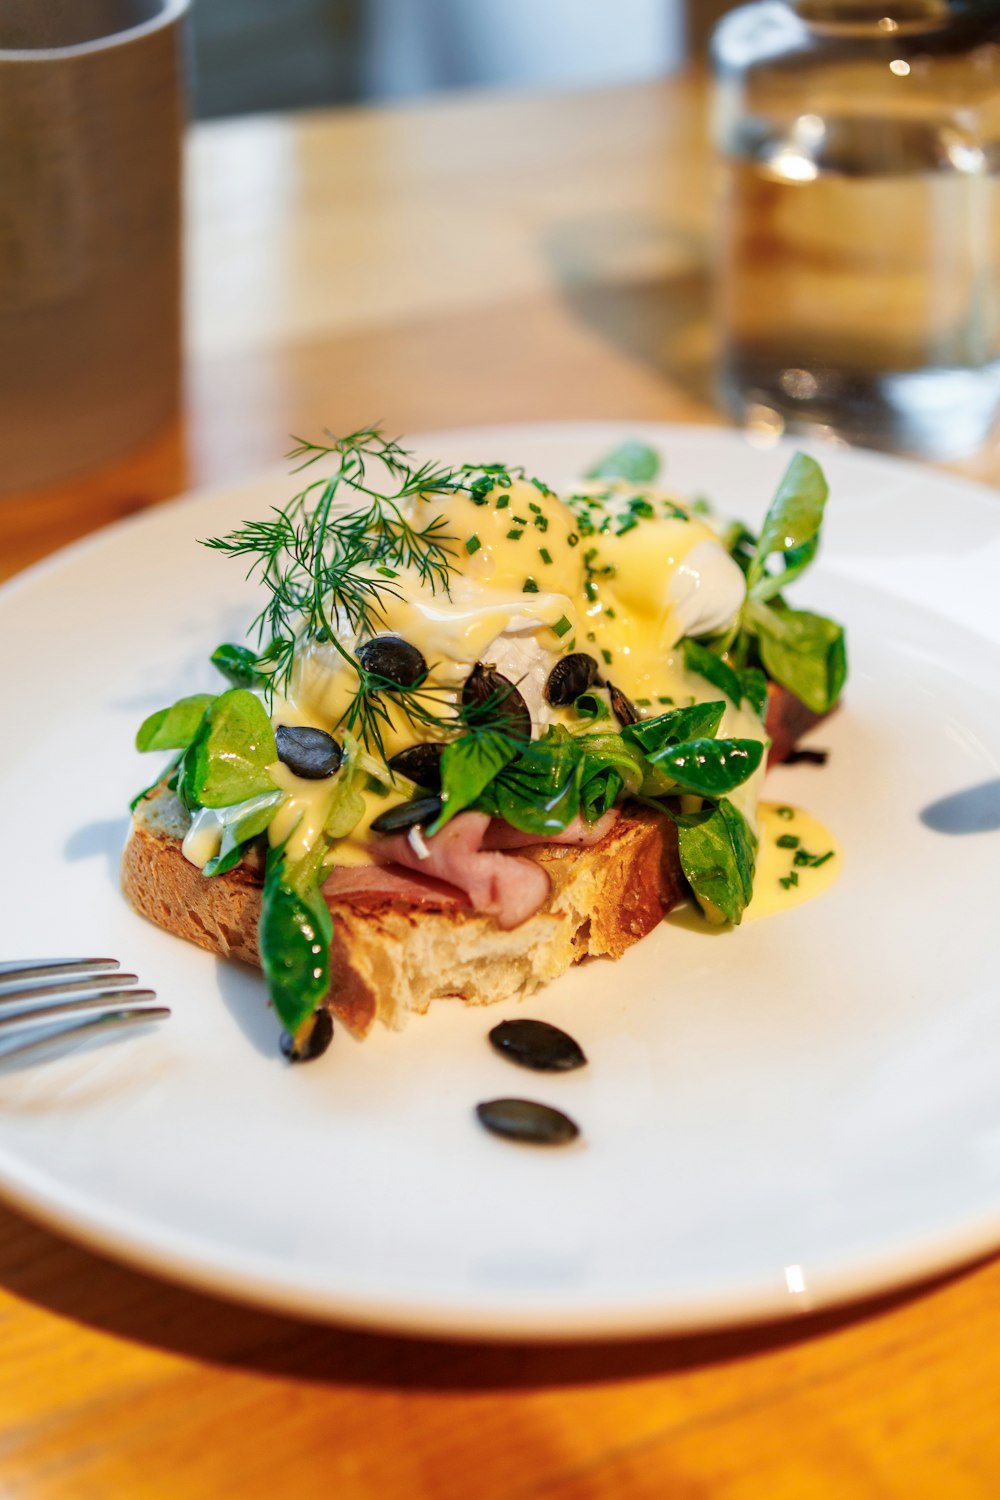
458, 263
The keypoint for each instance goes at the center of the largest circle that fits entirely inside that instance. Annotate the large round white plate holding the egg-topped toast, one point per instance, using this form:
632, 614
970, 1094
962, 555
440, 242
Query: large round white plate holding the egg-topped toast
777, 1118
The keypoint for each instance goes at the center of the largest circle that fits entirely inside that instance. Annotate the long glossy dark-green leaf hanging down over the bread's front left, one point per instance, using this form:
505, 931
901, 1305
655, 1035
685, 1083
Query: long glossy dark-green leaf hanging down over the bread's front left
295, 935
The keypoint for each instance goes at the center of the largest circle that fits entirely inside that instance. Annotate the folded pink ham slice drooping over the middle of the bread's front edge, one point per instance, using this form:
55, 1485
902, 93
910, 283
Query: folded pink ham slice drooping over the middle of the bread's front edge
497, 884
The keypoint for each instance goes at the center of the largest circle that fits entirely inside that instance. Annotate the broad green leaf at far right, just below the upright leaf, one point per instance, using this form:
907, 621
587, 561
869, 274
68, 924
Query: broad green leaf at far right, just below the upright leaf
803, 652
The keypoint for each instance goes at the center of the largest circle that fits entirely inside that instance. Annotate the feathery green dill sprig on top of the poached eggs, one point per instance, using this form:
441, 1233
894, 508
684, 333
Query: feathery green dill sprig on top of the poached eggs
326, 560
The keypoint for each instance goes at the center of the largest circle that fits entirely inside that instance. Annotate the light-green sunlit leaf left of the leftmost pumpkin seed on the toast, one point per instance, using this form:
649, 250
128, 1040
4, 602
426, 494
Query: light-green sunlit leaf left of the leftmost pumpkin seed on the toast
229, 758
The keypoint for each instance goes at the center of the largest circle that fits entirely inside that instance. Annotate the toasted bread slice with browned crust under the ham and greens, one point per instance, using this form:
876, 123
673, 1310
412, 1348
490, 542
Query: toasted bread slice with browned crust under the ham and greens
391, 958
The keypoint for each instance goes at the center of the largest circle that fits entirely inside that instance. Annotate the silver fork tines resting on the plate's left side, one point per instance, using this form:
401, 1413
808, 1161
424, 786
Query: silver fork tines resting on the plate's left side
68, 1000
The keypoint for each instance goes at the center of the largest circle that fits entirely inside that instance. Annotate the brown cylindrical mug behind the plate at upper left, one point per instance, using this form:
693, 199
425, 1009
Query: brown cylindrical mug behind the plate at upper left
92, 113
